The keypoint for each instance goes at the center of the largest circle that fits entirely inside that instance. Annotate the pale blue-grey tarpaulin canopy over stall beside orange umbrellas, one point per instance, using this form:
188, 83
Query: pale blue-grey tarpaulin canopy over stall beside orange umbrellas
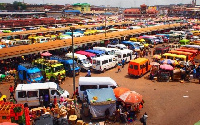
105, 99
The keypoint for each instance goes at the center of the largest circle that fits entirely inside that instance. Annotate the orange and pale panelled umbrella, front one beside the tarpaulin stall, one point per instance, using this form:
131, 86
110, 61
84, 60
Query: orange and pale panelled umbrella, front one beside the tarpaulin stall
131, 97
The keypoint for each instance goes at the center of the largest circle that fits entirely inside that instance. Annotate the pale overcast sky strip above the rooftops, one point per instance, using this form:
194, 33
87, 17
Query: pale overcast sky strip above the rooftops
116, 3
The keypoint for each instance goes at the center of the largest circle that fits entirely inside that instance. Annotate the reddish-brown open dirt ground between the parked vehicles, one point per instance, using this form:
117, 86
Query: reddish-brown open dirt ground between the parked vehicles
166, 103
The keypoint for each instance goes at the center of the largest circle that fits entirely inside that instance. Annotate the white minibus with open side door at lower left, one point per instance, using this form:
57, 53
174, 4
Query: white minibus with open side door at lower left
30, 93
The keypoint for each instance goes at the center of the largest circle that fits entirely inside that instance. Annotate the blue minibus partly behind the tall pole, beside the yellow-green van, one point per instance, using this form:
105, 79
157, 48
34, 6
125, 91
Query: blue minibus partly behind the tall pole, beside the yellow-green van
68, 65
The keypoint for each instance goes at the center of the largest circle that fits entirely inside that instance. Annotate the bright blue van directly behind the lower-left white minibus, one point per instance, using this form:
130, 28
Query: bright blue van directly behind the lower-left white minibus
29, 74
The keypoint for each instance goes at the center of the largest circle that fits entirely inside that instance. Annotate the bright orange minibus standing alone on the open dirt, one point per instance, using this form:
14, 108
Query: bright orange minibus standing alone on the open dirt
139, 67
